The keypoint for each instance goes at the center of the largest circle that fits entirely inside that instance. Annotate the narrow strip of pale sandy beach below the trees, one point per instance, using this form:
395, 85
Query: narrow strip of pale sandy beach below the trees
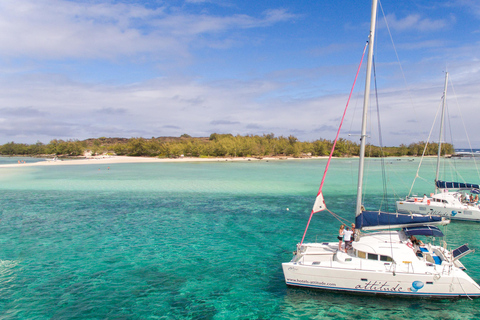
127, 159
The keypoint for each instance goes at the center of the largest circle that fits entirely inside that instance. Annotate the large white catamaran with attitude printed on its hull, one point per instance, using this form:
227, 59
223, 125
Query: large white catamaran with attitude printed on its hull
383, 262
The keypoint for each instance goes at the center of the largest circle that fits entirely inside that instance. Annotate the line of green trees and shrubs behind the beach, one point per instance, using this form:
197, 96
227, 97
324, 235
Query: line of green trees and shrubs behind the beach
217, 145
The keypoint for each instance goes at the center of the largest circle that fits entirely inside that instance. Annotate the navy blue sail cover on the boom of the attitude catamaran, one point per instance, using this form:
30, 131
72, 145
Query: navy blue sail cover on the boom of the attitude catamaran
379, 218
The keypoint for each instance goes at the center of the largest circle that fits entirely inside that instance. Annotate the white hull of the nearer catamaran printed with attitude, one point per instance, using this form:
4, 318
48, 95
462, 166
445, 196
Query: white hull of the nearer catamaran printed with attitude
330, 270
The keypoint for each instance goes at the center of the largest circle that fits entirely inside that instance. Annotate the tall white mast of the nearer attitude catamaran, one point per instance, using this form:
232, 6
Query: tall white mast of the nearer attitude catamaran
366, 97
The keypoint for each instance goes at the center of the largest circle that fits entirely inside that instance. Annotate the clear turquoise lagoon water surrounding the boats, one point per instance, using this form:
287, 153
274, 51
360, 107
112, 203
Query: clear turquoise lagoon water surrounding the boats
190, 240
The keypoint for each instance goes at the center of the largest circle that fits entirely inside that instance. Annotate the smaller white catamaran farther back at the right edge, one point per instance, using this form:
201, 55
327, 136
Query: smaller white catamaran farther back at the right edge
455, 200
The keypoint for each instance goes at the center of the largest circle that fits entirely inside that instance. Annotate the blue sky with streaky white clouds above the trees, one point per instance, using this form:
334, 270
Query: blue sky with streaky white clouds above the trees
87, 69
